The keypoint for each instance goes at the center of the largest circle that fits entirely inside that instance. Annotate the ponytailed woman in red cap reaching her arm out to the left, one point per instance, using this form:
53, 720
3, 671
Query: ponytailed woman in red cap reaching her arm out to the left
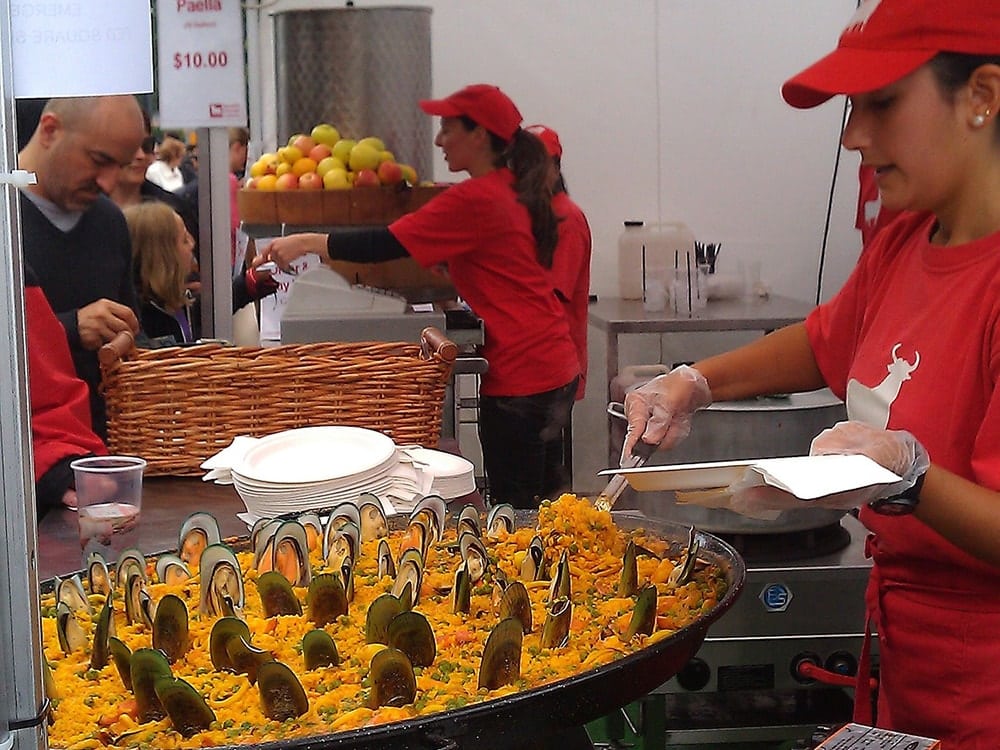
495, 231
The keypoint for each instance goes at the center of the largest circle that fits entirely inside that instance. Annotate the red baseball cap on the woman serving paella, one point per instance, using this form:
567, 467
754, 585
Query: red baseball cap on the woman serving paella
886, 40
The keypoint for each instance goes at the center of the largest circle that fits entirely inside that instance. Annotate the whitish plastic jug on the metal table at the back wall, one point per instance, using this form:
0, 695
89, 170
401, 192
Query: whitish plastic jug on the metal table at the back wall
650, 252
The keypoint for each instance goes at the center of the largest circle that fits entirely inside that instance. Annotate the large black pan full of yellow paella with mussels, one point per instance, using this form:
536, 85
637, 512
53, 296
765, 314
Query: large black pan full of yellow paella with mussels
356, 631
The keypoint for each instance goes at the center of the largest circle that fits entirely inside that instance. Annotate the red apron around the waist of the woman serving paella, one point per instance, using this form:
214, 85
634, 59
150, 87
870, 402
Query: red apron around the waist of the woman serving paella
939, 651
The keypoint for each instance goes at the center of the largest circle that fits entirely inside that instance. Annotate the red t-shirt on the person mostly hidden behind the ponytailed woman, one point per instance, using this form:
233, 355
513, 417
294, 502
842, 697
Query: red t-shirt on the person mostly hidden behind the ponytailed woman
570, 274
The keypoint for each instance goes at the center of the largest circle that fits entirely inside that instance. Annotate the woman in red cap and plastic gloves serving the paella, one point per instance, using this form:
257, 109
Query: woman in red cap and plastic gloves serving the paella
912, 342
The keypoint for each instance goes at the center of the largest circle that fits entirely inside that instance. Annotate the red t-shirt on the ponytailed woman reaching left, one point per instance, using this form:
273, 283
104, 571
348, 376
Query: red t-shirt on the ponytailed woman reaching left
484, 235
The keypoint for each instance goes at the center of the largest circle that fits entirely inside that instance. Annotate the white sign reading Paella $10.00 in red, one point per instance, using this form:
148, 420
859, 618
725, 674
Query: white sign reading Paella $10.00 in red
200, 54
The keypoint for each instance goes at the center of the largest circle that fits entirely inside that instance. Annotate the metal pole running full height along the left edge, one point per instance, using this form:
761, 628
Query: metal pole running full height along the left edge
20, 617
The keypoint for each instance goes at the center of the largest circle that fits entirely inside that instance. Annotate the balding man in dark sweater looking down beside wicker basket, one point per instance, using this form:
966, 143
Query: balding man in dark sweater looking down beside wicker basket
74, 237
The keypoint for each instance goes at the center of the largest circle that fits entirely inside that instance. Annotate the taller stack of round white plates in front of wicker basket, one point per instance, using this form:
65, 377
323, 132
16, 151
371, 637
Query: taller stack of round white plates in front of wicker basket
314, 467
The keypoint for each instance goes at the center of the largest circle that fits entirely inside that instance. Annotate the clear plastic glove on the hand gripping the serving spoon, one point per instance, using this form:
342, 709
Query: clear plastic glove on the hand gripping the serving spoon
660, 411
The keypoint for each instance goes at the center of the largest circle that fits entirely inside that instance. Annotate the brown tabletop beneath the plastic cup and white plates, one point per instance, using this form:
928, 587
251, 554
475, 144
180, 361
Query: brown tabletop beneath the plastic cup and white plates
166, 502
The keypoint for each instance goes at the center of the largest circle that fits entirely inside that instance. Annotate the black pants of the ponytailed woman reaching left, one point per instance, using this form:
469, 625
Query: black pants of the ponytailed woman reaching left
522, 441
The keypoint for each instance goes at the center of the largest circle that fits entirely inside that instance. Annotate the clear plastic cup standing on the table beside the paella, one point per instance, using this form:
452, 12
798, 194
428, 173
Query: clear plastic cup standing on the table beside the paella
109, 500
